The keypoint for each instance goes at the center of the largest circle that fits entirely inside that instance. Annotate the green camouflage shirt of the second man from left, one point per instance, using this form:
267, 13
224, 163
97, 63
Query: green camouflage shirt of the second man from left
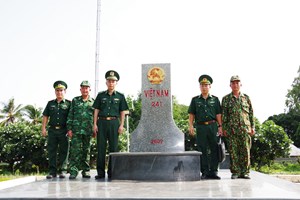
80, 118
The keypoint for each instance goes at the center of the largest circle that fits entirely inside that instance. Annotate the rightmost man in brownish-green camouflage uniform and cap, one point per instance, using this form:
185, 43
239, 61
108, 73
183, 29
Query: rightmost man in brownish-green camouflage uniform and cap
238, 126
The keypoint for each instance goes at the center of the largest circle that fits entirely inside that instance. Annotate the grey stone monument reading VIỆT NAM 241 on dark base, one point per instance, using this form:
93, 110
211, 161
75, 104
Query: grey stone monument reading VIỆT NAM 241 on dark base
156, 145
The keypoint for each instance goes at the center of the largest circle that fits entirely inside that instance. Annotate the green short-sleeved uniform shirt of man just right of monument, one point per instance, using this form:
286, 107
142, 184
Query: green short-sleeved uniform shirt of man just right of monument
205, 109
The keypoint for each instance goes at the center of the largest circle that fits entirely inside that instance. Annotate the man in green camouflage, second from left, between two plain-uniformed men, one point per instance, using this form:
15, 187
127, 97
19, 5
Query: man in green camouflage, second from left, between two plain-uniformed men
80, 130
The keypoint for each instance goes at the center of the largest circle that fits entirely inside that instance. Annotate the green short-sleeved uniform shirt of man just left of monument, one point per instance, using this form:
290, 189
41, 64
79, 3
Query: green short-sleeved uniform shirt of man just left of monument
110, 105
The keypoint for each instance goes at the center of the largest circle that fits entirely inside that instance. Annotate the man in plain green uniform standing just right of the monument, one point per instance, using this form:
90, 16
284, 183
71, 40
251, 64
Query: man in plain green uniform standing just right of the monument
205, 112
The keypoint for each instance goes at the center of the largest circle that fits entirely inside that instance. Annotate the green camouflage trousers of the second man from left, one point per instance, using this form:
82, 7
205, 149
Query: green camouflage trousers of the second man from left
80, 153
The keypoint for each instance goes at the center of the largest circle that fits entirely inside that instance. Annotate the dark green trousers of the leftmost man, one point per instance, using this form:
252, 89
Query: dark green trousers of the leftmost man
58, 150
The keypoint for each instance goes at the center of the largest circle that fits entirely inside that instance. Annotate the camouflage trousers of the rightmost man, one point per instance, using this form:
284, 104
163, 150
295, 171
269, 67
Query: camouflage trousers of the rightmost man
239, 145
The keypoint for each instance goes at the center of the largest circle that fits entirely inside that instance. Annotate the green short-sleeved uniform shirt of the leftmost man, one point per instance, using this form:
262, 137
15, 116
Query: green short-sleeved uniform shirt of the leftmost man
58, 112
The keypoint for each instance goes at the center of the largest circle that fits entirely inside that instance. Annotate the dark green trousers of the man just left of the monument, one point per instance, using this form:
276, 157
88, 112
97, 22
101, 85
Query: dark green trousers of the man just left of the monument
107, 132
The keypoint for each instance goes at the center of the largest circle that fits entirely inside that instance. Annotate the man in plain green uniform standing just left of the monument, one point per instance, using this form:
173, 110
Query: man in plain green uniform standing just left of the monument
110, 107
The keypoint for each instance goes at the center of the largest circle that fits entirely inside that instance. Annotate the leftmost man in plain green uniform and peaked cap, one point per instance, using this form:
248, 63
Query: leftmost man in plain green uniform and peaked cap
56, 112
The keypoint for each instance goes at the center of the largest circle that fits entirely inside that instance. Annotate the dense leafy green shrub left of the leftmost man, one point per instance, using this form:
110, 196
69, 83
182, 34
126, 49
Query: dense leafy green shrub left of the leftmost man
23, 148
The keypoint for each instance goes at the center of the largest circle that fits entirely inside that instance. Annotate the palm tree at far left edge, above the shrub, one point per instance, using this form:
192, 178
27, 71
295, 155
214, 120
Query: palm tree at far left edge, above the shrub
10, 112
